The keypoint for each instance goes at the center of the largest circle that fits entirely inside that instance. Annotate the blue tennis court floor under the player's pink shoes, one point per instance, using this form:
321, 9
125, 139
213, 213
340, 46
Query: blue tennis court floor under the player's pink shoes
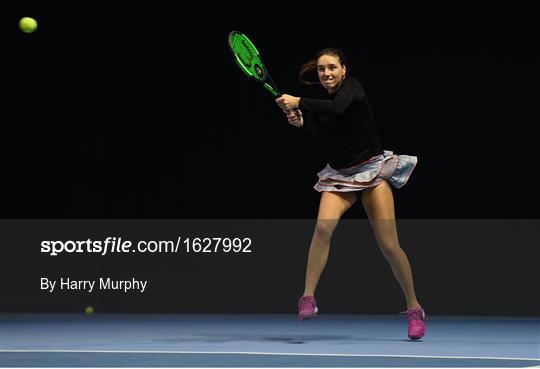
110, 340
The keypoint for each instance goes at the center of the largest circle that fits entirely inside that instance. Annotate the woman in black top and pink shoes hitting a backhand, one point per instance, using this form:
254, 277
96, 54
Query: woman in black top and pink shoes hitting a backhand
357, 167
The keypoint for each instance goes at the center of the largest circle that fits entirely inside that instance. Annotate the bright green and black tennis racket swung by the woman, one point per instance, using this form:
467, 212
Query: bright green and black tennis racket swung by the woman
250, 62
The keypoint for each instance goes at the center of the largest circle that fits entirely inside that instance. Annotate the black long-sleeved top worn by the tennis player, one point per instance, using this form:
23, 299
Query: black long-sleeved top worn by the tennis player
345, 123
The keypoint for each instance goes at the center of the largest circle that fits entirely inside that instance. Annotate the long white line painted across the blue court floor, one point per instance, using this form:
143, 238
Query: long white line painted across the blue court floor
265, 353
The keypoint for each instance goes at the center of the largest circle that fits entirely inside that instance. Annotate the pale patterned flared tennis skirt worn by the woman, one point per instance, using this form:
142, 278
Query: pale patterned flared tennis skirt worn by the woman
396, 169
